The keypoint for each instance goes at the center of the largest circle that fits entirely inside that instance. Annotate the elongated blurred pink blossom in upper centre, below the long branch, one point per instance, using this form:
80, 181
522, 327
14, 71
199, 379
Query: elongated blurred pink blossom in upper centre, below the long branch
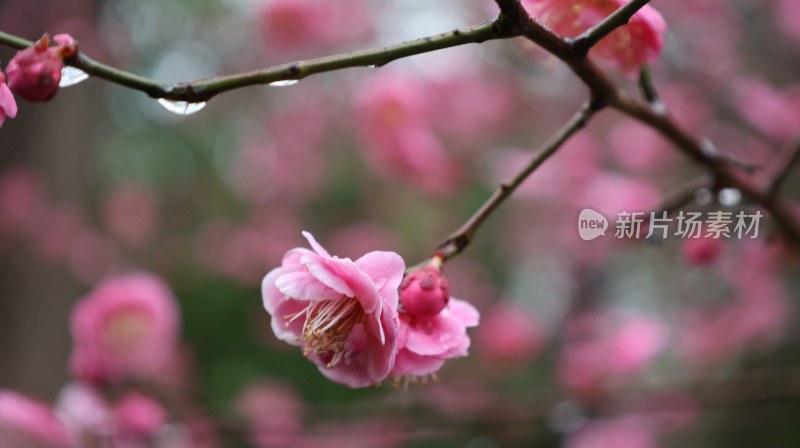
393, 113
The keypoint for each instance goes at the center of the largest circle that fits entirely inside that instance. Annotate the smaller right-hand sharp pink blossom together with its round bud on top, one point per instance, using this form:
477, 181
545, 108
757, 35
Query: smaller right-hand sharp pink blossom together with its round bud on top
433, 326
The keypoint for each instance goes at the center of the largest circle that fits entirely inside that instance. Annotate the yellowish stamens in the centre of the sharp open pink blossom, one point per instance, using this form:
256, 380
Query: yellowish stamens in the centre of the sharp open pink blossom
328, 325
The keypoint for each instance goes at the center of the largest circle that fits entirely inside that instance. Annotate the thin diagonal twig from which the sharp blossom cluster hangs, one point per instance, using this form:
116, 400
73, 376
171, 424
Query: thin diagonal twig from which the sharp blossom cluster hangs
461, 238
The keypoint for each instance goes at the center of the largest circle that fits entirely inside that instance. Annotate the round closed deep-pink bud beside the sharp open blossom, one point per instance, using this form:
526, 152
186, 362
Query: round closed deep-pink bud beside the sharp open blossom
424, 293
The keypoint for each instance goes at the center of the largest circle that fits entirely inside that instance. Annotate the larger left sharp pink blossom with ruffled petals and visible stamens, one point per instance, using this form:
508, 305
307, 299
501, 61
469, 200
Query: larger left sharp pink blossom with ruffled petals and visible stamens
342, 313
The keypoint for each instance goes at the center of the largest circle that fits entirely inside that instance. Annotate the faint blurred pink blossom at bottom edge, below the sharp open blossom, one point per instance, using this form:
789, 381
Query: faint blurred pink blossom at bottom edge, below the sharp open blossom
274, 414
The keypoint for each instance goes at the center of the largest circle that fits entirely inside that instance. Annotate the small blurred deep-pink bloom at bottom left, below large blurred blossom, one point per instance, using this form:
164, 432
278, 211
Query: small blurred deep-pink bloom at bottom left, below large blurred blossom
139, 416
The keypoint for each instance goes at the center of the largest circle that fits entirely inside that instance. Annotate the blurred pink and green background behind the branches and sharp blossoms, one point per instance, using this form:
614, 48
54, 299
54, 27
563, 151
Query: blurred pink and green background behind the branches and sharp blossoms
646, 343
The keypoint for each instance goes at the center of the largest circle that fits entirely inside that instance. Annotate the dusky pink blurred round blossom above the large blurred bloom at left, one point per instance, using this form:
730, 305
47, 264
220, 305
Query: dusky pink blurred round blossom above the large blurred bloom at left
131, 214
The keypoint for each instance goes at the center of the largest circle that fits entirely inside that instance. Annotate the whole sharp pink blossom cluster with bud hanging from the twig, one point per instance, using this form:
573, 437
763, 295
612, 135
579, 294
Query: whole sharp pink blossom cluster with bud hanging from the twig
361, 321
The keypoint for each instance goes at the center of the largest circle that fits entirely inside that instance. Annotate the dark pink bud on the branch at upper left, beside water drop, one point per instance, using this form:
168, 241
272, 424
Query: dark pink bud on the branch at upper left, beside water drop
34, 73
